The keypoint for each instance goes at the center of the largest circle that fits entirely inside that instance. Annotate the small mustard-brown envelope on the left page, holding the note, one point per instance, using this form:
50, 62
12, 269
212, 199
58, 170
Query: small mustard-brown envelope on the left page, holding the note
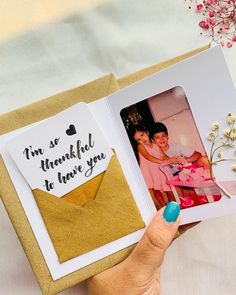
98, 212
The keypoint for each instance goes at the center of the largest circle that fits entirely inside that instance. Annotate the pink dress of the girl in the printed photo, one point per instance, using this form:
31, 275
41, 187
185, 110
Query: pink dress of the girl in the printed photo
154, 178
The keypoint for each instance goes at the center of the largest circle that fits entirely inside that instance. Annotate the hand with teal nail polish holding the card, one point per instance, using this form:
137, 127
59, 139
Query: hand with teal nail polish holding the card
140, 272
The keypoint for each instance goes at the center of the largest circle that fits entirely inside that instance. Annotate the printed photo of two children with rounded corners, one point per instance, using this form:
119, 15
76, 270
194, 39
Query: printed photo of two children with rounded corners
169, 150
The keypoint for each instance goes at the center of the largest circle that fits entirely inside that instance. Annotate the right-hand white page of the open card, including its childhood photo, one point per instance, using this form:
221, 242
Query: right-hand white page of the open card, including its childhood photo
187, 99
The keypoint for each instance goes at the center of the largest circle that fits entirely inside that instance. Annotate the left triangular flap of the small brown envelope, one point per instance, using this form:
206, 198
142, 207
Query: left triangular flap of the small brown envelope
59, 216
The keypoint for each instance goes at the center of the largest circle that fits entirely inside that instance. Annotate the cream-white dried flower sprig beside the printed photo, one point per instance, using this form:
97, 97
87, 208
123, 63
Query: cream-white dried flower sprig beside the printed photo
221, 142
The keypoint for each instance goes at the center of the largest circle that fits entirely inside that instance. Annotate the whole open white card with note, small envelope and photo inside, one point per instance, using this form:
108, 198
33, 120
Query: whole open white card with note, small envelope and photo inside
91, 177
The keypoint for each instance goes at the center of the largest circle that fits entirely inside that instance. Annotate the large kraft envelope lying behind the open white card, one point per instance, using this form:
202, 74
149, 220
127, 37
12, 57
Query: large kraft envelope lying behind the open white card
41, 110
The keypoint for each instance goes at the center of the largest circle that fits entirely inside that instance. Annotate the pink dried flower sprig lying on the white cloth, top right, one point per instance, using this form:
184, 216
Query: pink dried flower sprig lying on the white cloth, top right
218, 20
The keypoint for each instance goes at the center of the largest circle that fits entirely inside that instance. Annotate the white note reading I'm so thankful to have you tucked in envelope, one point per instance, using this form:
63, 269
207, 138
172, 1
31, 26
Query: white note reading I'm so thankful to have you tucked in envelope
63, 152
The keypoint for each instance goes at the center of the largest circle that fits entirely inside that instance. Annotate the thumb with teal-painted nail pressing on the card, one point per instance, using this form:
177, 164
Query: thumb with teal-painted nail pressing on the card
149, 253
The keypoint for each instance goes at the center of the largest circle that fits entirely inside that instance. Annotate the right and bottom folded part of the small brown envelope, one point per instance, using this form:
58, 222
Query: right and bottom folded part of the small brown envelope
111, 215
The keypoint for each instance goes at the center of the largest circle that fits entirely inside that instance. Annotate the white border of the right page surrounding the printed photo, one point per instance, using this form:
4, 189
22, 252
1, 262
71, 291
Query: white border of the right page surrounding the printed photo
202, 77
